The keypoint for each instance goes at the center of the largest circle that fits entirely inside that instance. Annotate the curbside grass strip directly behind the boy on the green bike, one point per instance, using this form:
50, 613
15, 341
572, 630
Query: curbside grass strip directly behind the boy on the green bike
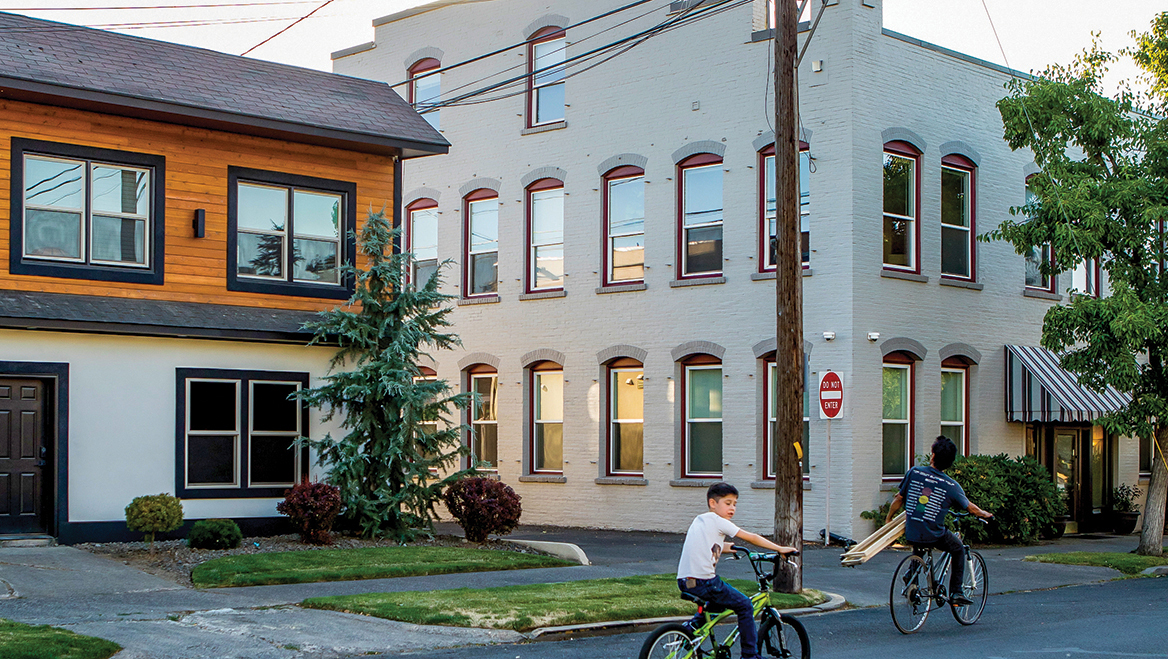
523, 608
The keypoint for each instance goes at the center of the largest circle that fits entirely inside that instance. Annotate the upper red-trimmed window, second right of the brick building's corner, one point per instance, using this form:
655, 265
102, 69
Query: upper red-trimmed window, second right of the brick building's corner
958, 233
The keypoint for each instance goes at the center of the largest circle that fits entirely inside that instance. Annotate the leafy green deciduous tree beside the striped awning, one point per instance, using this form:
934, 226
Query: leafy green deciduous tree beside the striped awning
1103, 196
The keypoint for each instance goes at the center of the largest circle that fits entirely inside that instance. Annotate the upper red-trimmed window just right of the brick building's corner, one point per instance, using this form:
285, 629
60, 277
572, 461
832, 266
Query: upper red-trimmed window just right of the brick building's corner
902, 202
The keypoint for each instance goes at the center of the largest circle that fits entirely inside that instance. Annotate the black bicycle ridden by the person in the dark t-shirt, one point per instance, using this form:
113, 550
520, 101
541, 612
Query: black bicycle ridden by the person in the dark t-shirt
919, 587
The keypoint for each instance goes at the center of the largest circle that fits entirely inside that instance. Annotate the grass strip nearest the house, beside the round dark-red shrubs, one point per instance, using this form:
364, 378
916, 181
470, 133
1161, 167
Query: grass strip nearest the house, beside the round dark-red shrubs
351, 565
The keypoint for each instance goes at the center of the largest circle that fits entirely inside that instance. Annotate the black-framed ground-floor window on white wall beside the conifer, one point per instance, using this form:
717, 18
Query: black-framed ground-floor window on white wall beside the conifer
234, 433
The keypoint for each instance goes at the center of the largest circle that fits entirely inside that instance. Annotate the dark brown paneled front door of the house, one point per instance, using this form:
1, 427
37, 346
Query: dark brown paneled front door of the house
23, 456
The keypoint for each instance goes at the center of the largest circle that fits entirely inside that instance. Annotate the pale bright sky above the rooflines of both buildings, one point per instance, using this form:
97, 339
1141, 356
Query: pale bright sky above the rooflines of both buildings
1034, 33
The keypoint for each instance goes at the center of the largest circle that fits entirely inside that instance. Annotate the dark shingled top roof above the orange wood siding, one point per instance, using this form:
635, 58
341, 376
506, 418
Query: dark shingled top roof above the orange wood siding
87, 68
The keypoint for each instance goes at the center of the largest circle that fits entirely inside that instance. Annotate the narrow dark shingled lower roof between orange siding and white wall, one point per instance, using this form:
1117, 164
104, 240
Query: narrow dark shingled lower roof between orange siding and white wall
151, 318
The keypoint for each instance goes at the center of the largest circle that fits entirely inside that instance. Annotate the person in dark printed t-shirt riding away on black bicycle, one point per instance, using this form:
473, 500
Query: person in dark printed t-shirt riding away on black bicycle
931, 495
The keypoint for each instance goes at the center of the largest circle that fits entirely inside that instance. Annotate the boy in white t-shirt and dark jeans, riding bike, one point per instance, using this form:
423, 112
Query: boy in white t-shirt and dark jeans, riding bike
705, 543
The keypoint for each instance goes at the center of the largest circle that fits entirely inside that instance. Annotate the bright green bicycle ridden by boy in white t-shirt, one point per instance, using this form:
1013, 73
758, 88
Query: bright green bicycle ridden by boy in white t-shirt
778, 635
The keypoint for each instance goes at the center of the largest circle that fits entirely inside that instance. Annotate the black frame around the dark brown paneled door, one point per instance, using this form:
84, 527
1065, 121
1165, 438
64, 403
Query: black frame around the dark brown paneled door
55, 377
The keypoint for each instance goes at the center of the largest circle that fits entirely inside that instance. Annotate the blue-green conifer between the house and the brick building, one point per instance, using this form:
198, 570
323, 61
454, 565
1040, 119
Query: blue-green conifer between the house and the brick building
387, 466
